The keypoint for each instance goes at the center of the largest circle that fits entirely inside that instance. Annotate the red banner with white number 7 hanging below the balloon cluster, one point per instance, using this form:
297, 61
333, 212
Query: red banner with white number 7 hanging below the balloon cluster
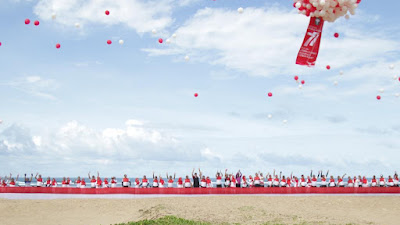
309, 49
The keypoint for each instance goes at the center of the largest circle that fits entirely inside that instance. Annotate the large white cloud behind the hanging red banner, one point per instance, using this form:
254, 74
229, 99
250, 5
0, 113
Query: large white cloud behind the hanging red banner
265, 41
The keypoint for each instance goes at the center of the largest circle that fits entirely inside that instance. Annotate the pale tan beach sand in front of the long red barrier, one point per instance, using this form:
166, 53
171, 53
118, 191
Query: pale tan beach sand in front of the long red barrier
214, 209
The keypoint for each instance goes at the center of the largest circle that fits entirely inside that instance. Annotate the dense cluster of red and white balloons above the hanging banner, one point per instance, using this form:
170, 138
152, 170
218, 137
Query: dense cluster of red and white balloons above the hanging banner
329, 10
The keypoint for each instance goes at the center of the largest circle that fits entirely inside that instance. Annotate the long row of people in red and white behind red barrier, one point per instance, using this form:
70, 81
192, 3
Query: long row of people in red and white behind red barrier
198, 180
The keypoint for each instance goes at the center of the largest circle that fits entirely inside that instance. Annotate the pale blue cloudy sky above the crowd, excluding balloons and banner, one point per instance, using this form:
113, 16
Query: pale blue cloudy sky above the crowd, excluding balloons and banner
130, 108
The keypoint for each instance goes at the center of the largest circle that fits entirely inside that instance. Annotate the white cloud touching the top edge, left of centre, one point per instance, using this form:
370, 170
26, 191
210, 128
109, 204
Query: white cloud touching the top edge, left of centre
143, 16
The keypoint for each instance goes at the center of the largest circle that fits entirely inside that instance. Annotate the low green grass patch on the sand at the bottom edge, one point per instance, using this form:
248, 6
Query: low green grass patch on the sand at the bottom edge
167, 220
